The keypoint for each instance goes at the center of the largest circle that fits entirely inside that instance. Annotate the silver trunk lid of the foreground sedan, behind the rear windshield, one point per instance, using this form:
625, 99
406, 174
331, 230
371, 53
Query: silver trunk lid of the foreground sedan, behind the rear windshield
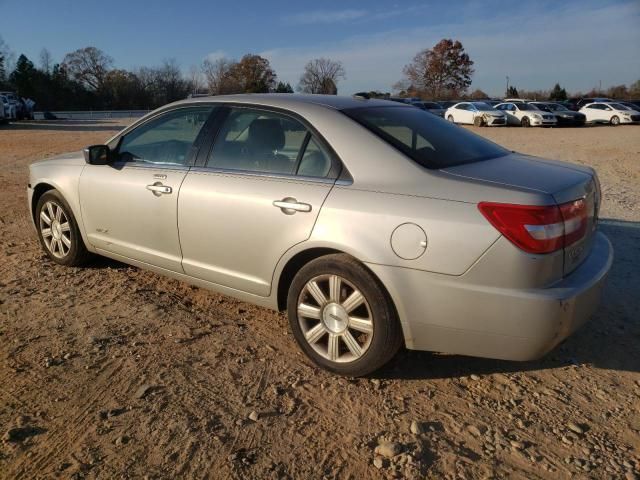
564, 182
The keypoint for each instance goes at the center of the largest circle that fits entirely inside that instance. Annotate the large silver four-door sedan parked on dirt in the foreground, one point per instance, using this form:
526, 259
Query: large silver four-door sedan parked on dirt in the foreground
375, 225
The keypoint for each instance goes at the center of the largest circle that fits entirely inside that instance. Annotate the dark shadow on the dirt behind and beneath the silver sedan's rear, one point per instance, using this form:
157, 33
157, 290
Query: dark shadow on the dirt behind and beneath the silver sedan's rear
609, 340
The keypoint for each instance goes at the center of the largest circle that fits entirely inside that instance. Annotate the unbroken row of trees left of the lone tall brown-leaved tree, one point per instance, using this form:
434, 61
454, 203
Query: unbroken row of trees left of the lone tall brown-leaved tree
86, 79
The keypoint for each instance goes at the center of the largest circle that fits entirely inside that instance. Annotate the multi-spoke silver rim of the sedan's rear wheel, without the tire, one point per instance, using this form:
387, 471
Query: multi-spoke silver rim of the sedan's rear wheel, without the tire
335, 318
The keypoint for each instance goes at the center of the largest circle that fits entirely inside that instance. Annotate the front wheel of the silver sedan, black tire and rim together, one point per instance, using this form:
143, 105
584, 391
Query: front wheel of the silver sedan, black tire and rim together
63, 242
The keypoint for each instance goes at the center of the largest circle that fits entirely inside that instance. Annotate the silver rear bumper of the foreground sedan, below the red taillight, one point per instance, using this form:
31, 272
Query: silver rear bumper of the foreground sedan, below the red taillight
449, 315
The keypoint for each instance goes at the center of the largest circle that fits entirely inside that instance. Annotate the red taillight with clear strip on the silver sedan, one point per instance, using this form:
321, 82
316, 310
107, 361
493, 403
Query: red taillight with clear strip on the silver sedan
538, 229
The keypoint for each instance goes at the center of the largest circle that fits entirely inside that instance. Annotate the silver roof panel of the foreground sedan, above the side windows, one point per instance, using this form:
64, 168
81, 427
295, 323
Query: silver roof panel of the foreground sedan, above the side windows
288, 100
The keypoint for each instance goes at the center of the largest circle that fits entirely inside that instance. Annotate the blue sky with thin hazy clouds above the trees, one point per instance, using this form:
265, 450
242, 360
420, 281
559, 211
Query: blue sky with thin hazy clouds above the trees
581, 44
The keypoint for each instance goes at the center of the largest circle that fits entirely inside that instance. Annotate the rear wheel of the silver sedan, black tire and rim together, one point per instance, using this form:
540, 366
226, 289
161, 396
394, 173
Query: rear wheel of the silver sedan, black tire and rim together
330, 324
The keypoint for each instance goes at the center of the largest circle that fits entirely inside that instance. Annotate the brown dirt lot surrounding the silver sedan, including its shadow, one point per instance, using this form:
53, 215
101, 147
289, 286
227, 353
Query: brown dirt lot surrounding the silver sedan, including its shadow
113, 372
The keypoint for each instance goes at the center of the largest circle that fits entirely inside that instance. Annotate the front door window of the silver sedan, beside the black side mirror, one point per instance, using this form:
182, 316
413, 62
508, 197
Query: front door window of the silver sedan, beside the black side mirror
166, 139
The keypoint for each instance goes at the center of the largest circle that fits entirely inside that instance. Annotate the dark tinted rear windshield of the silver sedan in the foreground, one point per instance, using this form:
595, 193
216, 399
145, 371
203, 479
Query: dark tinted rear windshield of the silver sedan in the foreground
425, 138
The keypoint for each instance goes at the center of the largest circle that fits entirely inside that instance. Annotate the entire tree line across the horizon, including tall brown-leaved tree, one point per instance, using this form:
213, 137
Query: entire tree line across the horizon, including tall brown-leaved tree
86, 79
